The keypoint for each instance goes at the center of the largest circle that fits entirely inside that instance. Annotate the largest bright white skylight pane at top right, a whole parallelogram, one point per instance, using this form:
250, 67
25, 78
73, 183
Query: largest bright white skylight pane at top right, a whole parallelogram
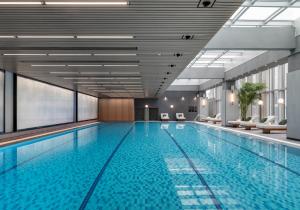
258, 13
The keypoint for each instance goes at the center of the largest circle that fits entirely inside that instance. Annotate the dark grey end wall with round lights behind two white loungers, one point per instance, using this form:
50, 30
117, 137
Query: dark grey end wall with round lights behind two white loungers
174, 98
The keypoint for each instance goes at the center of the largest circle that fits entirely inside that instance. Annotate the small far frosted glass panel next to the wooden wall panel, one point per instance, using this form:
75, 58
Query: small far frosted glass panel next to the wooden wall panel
87, 107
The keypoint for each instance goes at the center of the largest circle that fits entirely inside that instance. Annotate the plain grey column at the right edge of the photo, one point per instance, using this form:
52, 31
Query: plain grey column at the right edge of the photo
293, 99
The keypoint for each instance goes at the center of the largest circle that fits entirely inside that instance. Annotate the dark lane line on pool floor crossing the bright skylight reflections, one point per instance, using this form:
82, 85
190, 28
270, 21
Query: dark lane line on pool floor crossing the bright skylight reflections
201, 178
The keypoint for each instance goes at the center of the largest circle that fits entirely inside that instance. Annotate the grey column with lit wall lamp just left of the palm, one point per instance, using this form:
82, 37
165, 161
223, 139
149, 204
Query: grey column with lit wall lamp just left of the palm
230, 108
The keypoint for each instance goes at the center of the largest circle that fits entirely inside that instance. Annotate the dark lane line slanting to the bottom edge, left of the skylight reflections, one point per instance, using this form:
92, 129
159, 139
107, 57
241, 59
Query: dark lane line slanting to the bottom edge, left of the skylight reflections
99, 176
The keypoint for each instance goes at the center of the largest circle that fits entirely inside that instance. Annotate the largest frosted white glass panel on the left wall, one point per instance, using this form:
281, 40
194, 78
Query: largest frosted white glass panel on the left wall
40, 104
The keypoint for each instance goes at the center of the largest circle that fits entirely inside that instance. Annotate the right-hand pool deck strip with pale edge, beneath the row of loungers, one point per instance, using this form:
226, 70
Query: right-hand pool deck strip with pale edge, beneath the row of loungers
274, 136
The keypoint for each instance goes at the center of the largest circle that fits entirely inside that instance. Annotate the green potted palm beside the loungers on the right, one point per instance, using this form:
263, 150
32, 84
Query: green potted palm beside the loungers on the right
248, 93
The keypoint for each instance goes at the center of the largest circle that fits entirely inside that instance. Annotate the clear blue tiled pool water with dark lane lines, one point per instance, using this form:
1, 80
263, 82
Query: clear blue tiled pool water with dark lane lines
149, 166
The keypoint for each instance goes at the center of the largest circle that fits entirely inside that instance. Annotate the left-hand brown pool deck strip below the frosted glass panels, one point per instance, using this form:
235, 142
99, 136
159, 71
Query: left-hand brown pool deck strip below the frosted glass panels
26, 135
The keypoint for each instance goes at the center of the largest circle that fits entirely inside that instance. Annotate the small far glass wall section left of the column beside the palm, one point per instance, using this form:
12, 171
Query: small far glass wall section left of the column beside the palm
214, 100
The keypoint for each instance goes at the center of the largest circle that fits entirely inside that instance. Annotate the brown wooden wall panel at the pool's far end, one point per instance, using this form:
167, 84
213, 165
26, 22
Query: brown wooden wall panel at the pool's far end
116, 110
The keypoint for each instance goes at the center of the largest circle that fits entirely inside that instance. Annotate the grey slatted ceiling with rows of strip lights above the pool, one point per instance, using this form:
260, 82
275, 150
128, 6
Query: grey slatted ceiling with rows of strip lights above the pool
157, 27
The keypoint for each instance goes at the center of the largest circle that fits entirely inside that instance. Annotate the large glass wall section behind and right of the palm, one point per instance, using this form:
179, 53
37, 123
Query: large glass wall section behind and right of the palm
274, 96
